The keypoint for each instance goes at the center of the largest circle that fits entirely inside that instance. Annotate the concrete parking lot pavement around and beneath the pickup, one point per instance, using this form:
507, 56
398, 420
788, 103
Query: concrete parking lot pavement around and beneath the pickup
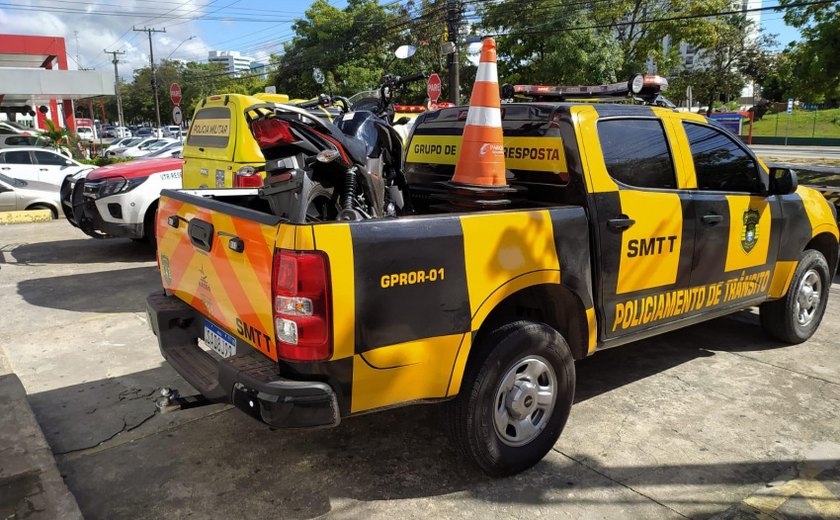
714, 420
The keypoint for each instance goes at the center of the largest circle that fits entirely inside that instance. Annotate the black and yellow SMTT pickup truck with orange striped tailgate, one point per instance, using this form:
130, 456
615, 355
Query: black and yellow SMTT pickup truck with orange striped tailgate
626, 222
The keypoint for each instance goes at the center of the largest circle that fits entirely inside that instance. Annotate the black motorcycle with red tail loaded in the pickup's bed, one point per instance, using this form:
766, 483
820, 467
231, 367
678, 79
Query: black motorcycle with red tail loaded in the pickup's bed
322, 171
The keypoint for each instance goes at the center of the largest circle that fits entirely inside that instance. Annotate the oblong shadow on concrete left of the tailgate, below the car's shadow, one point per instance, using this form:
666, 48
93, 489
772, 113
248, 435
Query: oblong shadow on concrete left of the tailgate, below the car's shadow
120, 290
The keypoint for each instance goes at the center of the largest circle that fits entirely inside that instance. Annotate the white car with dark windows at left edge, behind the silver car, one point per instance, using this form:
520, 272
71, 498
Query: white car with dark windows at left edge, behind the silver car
39, 164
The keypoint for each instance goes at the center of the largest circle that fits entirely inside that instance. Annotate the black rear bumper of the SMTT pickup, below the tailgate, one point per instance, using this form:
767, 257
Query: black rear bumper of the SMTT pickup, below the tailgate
248, 381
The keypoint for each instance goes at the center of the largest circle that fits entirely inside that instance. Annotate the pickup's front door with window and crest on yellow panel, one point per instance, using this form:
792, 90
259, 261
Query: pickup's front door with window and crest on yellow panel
738, 224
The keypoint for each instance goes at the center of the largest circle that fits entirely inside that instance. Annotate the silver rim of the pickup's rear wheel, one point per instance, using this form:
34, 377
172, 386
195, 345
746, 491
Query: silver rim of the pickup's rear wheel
524, 401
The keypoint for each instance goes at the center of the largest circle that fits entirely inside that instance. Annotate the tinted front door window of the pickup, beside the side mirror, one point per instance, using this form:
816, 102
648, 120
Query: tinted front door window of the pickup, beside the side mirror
719, 162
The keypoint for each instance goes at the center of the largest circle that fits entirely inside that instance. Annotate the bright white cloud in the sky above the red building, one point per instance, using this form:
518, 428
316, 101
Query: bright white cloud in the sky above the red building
95, 32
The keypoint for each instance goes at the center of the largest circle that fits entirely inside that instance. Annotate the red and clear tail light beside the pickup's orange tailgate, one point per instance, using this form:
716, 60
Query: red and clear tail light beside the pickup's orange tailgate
302, 302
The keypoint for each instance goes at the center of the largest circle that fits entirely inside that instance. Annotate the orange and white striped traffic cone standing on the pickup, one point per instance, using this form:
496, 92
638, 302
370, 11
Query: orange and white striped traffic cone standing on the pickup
481, 157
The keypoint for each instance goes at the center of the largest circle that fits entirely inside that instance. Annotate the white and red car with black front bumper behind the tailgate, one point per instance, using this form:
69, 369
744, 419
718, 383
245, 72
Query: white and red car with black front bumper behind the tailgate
119, 200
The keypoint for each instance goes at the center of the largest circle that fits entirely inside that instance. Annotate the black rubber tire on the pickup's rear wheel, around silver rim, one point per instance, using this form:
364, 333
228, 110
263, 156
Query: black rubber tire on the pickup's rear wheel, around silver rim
472, 414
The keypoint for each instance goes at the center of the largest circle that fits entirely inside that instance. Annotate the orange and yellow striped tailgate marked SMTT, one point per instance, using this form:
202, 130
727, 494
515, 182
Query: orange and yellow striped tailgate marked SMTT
218, 258
